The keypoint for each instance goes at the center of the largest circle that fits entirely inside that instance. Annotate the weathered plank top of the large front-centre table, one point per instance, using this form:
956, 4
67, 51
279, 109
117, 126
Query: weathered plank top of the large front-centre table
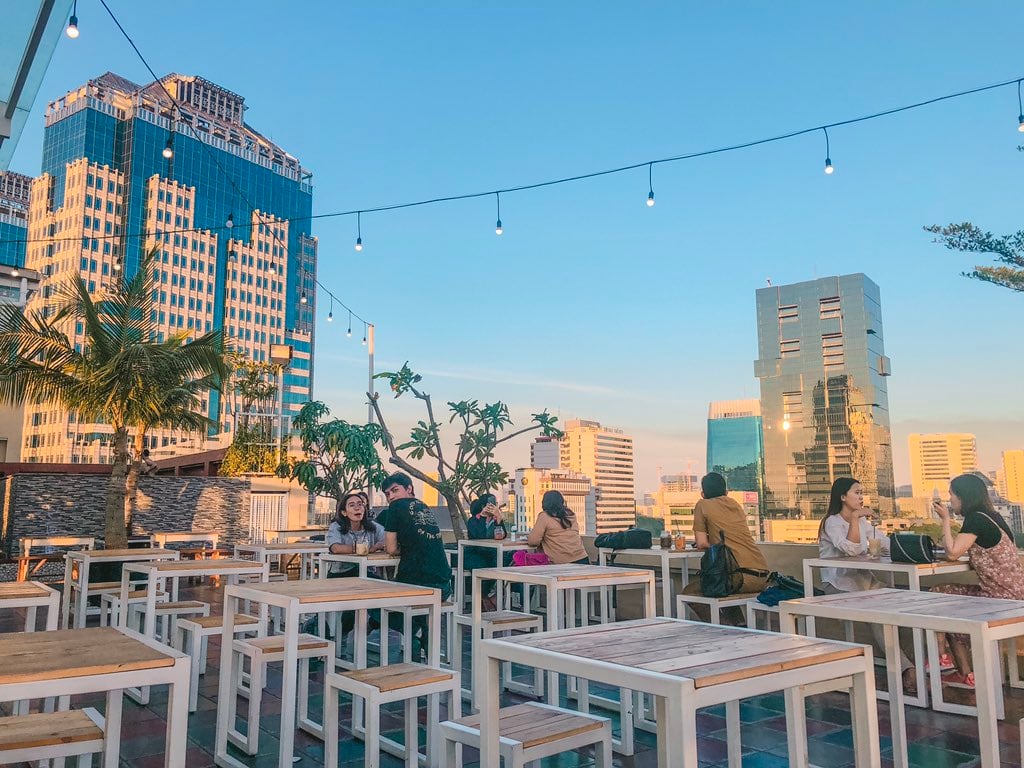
708, 655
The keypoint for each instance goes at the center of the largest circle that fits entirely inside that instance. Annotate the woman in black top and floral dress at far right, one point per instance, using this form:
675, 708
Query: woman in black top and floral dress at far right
988, 542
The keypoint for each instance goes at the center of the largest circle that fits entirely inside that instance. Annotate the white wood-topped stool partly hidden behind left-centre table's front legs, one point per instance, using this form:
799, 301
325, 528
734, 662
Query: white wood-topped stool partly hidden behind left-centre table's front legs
261, 653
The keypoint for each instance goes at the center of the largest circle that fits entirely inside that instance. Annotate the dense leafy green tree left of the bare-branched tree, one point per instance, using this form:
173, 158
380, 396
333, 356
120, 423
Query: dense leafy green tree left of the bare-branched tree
340, 457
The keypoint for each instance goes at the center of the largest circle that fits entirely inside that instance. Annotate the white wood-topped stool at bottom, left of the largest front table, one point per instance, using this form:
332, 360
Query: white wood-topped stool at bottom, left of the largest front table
381, 686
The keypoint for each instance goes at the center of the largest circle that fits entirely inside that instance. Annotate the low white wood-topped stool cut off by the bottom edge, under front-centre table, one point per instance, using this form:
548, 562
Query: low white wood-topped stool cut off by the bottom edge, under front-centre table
532, 732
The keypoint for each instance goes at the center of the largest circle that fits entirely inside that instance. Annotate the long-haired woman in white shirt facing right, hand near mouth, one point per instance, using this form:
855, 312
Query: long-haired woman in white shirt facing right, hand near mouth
844, 533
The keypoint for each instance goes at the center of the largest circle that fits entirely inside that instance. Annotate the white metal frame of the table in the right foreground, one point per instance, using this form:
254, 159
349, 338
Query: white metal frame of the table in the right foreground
985, 653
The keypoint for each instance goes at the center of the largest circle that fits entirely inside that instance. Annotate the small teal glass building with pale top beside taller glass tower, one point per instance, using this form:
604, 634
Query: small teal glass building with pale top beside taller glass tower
735, 444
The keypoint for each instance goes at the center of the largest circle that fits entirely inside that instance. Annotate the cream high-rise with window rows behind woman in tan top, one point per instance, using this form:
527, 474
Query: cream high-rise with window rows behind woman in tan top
606, 456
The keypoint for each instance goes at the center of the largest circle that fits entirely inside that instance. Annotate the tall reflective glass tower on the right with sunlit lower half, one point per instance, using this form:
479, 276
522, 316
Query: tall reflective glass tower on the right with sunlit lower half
825, 406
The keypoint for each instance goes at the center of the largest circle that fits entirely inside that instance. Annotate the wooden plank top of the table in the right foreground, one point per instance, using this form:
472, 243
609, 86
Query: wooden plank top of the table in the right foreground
990, 611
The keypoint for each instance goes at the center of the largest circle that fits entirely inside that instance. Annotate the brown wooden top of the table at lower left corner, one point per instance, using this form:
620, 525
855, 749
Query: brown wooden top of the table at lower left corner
31, 657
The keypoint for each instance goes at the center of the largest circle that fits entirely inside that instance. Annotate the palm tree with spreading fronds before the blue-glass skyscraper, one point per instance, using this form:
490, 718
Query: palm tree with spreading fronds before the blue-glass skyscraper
121, 374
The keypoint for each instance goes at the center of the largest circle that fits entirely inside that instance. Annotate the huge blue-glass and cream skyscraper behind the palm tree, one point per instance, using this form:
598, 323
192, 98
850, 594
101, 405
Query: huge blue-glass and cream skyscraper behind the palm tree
127, 170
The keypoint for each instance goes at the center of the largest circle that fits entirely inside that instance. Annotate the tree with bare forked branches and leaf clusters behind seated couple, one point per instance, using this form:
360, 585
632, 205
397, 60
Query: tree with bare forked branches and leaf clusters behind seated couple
474, 471
